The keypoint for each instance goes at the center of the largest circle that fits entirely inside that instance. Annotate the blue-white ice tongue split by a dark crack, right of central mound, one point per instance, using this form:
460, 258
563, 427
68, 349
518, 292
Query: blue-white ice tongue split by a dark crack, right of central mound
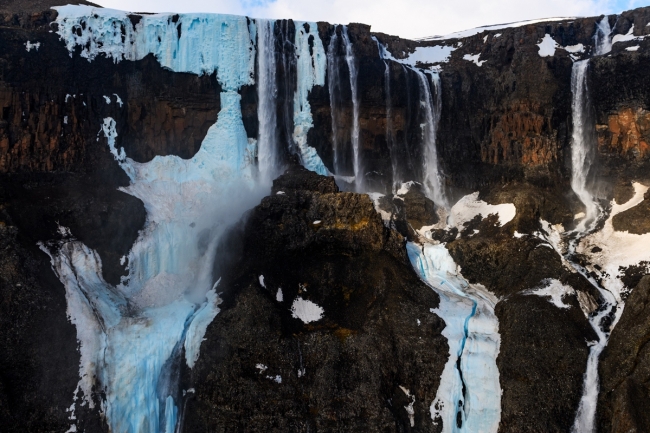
469, 390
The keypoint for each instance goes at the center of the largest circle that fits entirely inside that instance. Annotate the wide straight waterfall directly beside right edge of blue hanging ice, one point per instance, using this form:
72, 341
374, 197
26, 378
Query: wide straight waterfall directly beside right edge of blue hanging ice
267, 146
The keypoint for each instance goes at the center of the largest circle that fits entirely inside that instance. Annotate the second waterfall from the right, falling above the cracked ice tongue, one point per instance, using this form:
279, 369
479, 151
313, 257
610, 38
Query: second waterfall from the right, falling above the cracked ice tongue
432, 178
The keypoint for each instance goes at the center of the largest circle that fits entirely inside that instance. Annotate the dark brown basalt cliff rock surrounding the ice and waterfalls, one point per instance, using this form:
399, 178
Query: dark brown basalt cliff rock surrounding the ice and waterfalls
505, 130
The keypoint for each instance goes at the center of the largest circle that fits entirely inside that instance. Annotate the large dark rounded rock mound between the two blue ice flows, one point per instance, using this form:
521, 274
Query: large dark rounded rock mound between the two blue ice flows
370, 352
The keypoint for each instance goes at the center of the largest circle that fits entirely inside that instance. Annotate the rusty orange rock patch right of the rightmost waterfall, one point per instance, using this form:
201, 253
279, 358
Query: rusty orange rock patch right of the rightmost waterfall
627, 133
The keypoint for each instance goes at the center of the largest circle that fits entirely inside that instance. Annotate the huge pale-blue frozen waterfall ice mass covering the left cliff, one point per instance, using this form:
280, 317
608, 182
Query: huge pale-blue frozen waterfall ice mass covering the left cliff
170, 289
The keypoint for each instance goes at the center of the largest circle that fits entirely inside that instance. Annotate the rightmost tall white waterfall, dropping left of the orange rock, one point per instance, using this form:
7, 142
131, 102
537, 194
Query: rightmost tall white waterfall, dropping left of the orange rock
583, 143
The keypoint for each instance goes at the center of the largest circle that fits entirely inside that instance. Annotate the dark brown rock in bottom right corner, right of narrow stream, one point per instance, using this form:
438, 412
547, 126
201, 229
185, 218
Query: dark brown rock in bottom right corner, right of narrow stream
625, 368
